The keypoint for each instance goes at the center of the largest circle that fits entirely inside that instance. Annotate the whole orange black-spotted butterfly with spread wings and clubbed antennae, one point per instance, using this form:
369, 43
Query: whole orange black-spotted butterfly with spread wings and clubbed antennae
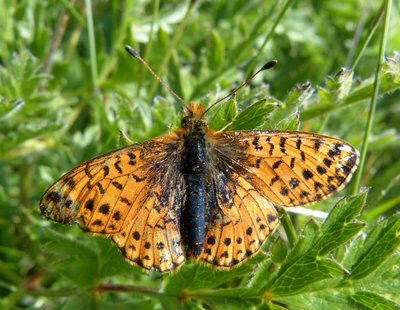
199, 194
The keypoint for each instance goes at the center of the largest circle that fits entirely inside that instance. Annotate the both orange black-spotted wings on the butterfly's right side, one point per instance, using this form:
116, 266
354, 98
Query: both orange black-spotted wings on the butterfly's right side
255, 170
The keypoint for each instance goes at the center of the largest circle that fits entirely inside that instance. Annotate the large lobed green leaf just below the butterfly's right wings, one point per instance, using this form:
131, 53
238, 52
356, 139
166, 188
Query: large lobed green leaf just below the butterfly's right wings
305, 264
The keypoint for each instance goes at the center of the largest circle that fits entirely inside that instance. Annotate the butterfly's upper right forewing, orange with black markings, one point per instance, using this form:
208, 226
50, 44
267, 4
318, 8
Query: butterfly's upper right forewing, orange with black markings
288, 168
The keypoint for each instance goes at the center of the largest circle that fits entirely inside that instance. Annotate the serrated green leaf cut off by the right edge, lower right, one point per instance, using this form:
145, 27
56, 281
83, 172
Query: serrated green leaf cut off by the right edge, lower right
380, 244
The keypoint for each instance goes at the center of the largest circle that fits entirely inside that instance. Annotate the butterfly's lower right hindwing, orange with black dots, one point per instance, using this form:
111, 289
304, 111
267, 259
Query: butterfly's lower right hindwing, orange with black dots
240, 222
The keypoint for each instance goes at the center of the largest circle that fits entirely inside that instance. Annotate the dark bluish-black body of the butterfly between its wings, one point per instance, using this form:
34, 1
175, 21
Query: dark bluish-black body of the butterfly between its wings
194, 170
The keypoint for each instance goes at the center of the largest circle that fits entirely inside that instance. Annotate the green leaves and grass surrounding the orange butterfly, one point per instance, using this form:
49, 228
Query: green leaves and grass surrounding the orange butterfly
67, 89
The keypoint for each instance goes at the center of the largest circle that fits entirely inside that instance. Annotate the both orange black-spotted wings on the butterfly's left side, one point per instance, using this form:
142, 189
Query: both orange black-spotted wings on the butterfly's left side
132, 194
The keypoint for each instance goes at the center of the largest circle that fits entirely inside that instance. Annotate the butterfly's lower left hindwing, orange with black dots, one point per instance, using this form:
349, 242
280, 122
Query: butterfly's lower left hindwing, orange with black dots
152, 240
